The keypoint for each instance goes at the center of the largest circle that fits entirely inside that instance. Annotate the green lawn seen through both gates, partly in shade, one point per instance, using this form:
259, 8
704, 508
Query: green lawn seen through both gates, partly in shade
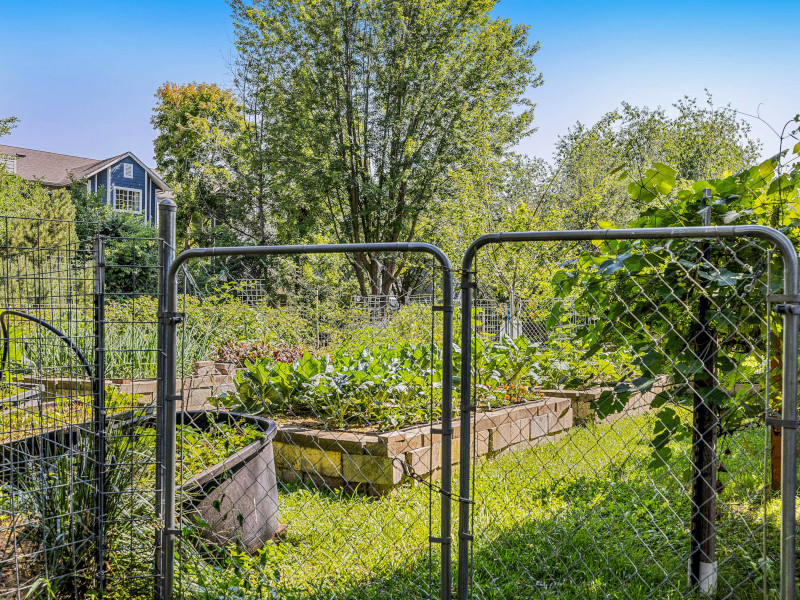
581, 517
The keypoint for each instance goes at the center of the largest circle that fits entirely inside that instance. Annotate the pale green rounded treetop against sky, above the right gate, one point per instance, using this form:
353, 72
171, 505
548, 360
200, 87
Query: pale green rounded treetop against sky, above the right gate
593, 164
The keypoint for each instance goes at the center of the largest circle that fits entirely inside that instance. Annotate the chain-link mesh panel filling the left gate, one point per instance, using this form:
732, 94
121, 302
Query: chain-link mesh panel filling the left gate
309, 444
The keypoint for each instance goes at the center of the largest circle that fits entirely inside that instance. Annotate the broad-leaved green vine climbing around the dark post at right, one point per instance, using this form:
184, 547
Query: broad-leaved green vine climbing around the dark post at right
649, 292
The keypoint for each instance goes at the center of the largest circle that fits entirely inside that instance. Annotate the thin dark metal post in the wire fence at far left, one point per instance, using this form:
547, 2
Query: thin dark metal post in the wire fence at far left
99, 404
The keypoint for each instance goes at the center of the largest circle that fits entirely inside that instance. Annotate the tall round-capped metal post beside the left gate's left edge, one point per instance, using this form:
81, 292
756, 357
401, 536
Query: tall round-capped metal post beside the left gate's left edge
166, 232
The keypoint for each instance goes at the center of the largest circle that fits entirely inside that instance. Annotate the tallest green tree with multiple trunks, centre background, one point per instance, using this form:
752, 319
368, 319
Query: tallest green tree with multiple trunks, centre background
372, 103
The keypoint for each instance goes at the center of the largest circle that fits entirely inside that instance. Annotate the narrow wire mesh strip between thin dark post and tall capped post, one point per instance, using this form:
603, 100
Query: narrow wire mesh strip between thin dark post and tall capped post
130, 348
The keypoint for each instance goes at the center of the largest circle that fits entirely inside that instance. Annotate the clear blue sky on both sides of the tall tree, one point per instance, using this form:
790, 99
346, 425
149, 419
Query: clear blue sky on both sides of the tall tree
81, 75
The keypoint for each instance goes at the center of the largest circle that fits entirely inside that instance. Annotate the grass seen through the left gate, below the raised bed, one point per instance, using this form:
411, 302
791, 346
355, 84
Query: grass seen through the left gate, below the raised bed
338, 546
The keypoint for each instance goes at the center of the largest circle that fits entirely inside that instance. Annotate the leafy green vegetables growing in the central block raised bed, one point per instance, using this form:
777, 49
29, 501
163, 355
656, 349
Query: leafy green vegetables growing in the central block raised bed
390, 386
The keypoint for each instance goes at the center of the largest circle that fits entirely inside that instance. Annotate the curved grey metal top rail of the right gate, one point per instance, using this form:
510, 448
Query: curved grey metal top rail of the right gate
783, 243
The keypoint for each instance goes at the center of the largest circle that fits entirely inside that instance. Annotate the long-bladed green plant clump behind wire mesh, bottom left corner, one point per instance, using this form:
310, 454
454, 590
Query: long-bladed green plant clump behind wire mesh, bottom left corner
56, 495
